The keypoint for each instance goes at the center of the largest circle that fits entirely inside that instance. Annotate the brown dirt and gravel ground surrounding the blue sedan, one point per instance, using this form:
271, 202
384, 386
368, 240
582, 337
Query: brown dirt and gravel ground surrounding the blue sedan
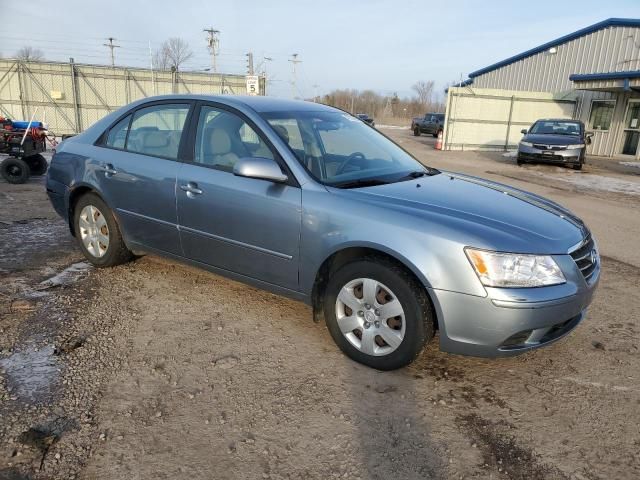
158, 370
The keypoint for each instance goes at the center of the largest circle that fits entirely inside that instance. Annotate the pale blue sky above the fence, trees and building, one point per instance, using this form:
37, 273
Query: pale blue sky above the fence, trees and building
385, 46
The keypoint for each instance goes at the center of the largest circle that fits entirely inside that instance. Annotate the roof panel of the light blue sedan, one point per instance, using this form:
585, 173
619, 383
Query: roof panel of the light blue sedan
257, 103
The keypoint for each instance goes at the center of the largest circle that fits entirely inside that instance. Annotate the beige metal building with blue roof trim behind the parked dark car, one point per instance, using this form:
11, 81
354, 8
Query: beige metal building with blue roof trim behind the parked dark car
592, 74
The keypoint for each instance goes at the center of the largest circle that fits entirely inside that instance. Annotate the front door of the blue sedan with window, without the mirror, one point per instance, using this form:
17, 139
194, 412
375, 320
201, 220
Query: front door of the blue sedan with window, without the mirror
243, 225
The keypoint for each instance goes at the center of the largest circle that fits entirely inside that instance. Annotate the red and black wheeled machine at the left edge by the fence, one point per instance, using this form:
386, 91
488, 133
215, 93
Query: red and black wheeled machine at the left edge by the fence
24, 142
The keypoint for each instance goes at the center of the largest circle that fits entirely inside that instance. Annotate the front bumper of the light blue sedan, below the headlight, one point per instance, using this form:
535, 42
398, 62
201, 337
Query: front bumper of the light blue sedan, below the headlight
511, 321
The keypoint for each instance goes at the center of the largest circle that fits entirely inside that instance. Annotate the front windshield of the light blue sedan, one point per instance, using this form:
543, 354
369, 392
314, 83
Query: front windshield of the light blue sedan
340, 150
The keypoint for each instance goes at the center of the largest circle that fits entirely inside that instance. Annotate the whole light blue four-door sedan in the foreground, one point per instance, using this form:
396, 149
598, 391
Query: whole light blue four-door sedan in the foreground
307, 201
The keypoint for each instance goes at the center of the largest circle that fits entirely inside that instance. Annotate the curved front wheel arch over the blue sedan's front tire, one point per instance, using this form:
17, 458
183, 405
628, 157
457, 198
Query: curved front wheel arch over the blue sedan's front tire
346, 254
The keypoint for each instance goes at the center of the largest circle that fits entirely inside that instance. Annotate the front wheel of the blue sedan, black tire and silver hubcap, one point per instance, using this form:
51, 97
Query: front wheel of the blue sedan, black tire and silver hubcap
411, 330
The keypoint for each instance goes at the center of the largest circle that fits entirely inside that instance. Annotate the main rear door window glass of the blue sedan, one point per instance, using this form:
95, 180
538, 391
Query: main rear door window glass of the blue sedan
157, 130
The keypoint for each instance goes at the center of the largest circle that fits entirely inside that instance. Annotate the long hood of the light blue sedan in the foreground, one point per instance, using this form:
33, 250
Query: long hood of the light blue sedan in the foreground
480, 213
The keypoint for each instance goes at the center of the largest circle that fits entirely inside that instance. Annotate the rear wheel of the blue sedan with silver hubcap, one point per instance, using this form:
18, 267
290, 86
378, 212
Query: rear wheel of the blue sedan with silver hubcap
98, 251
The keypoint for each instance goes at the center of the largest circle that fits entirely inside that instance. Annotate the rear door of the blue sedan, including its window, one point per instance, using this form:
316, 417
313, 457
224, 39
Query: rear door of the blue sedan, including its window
136, 167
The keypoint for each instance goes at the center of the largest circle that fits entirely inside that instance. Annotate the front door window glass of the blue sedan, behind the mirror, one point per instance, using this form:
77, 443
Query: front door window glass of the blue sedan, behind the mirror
222, 138
